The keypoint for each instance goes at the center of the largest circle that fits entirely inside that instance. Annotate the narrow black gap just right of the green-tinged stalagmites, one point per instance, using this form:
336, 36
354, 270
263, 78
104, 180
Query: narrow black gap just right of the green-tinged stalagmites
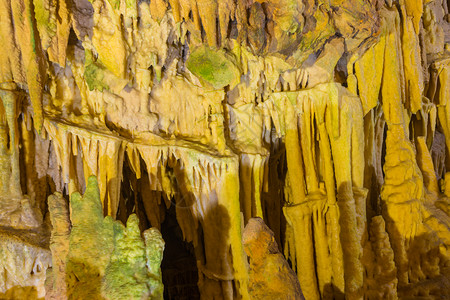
179, 266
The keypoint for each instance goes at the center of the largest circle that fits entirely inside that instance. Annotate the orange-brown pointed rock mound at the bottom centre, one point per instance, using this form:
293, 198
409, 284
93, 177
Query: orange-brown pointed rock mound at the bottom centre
270, 276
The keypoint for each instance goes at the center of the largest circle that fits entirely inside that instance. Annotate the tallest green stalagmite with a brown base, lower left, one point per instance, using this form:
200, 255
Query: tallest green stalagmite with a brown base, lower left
91, 243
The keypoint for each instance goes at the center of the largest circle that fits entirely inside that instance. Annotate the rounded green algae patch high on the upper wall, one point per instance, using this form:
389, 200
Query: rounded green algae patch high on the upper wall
214, 67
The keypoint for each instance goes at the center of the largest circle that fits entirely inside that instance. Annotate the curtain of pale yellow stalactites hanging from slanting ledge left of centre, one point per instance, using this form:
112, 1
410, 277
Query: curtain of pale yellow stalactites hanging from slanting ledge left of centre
203, 189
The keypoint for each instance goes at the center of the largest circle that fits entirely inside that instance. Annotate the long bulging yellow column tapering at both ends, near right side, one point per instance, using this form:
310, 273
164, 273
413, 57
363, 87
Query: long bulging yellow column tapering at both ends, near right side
402, 192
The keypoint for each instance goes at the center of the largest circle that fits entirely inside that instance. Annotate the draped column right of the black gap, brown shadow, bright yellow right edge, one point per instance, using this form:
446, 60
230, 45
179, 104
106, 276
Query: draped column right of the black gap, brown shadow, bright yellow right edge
217, 209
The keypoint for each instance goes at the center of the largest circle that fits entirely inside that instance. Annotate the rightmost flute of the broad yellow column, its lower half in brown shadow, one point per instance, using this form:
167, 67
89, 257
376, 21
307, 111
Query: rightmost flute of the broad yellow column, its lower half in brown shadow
349, 169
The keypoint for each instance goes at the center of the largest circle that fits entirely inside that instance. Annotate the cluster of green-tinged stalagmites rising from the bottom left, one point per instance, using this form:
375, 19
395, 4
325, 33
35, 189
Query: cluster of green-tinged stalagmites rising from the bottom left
98, 258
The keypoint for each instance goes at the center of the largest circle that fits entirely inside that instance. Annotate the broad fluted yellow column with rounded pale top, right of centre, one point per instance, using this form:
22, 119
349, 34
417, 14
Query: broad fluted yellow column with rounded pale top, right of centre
327, 229
